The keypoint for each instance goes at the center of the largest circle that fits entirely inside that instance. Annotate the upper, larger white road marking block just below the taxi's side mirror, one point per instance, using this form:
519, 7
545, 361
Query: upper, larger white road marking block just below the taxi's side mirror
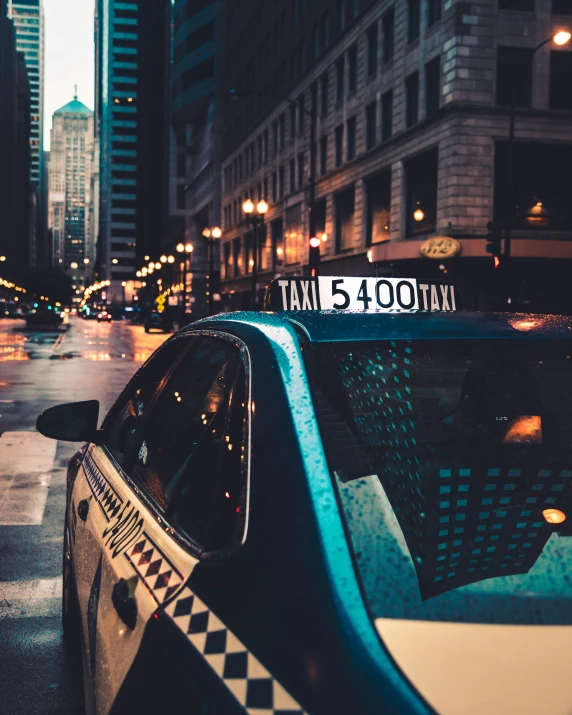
26, 463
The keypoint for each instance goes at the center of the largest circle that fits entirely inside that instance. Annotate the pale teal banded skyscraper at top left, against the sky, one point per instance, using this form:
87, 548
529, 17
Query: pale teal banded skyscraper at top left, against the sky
28, 19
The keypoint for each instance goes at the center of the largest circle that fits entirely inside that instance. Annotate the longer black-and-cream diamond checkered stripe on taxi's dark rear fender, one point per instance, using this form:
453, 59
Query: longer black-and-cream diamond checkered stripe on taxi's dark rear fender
247, 679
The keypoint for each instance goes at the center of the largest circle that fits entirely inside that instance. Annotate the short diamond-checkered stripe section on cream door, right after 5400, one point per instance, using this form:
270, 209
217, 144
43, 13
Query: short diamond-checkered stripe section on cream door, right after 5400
154, 568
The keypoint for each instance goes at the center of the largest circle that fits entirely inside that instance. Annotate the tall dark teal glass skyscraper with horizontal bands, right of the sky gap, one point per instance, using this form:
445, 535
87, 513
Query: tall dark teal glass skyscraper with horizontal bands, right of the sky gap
131, 45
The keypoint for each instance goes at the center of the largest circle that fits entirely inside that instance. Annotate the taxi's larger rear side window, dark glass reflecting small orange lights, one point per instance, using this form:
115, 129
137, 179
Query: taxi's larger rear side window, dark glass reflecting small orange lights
189, 450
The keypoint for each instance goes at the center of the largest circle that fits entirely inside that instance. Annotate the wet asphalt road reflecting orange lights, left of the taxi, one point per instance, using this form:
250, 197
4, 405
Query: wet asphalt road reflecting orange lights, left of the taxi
37, 370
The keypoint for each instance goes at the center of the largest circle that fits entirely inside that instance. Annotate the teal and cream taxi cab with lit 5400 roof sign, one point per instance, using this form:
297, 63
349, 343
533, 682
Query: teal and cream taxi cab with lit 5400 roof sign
354, 502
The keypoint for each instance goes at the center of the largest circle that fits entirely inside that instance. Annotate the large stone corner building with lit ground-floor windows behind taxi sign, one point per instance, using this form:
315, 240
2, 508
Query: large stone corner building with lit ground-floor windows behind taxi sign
412, 102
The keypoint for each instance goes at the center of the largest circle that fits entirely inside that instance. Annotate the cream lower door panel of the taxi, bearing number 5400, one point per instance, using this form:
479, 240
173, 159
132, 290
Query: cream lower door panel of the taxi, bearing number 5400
138, 567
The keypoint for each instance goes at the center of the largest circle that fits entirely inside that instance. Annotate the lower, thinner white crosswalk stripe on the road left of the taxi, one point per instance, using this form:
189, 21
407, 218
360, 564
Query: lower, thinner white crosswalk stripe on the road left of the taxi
30, 599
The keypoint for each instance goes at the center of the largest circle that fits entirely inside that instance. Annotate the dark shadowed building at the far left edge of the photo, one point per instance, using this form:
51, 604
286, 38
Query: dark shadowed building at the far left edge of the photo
17, 195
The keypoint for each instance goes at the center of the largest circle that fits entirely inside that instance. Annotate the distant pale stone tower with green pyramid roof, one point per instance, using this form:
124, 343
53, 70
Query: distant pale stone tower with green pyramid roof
69, 199
